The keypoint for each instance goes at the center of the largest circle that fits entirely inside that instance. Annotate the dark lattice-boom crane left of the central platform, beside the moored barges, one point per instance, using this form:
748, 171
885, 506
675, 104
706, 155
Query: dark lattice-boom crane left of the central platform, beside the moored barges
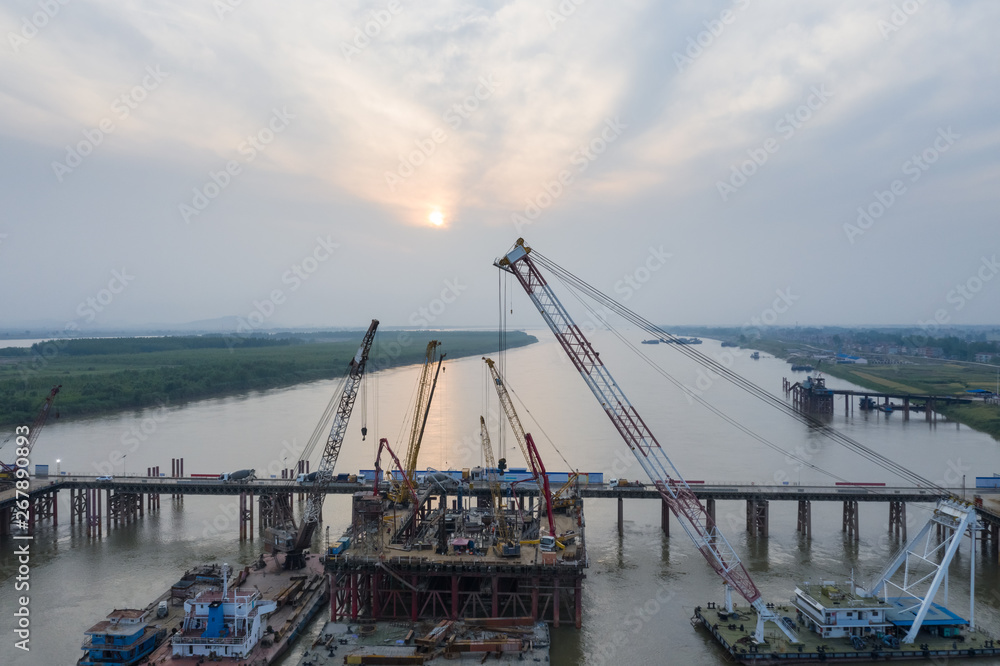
292, 540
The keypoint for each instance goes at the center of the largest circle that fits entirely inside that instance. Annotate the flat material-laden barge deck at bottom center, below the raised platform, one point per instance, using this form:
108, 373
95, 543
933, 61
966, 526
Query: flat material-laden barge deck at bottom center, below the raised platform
504, 641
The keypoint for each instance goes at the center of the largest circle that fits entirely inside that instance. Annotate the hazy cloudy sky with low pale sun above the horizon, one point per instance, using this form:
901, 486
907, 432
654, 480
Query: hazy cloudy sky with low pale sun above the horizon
323, 164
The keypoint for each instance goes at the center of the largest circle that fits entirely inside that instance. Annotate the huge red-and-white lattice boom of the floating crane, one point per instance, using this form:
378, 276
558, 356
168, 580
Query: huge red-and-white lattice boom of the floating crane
672, 487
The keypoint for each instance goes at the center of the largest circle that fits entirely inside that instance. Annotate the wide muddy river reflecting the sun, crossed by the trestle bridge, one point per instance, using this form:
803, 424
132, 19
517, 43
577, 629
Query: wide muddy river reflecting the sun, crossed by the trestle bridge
640, 588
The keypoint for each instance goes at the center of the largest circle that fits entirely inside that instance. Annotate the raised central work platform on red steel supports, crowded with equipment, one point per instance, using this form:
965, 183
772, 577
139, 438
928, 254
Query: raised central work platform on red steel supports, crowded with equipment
443, 560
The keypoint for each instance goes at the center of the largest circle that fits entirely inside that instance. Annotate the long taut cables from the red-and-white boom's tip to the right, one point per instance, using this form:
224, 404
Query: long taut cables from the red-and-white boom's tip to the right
572, 280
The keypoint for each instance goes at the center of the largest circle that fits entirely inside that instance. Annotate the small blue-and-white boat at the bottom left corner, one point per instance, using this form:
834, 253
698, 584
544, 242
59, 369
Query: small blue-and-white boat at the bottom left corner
124, 638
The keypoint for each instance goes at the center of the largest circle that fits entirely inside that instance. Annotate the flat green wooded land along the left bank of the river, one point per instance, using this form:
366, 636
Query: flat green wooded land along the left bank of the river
112, 374
